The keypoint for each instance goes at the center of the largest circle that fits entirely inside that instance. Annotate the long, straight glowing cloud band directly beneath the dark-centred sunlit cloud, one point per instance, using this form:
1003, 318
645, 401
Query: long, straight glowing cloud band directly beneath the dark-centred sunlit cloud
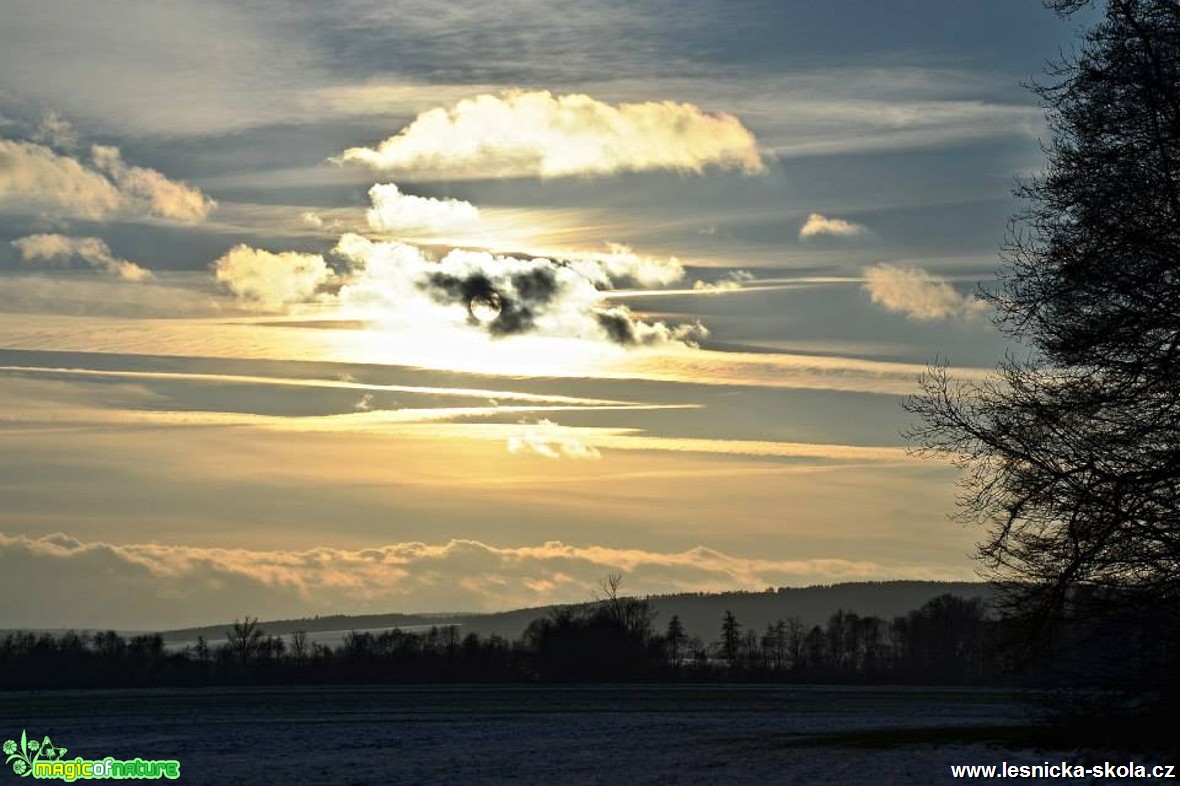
535, 357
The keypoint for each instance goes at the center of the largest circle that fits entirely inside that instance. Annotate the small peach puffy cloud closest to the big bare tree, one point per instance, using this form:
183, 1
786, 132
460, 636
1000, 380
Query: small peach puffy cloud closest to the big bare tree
919, 294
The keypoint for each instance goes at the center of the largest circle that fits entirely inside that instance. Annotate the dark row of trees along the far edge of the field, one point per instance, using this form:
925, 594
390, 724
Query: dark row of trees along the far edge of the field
949, 640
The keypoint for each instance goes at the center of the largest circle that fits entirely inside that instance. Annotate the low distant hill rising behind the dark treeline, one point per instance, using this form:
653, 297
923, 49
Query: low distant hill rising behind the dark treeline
700, 613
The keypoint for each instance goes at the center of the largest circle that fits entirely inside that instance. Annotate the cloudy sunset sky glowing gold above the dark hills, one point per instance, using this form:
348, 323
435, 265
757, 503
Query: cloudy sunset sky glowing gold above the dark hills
362, 307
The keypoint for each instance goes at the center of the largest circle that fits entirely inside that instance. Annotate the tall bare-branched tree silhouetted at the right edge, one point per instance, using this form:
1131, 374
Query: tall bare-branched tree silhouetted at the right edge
1073, 454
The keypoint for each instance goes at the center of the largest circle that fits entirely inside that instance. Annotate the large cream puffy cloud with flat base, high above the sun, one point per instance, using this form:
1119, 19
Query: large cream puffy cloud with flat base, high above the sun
537, 134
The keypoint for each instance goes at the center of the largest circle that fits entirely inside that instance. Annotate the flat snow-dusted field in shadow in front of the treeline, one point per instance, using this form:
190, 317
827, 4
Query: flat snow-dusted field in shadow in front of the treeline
552, 735
